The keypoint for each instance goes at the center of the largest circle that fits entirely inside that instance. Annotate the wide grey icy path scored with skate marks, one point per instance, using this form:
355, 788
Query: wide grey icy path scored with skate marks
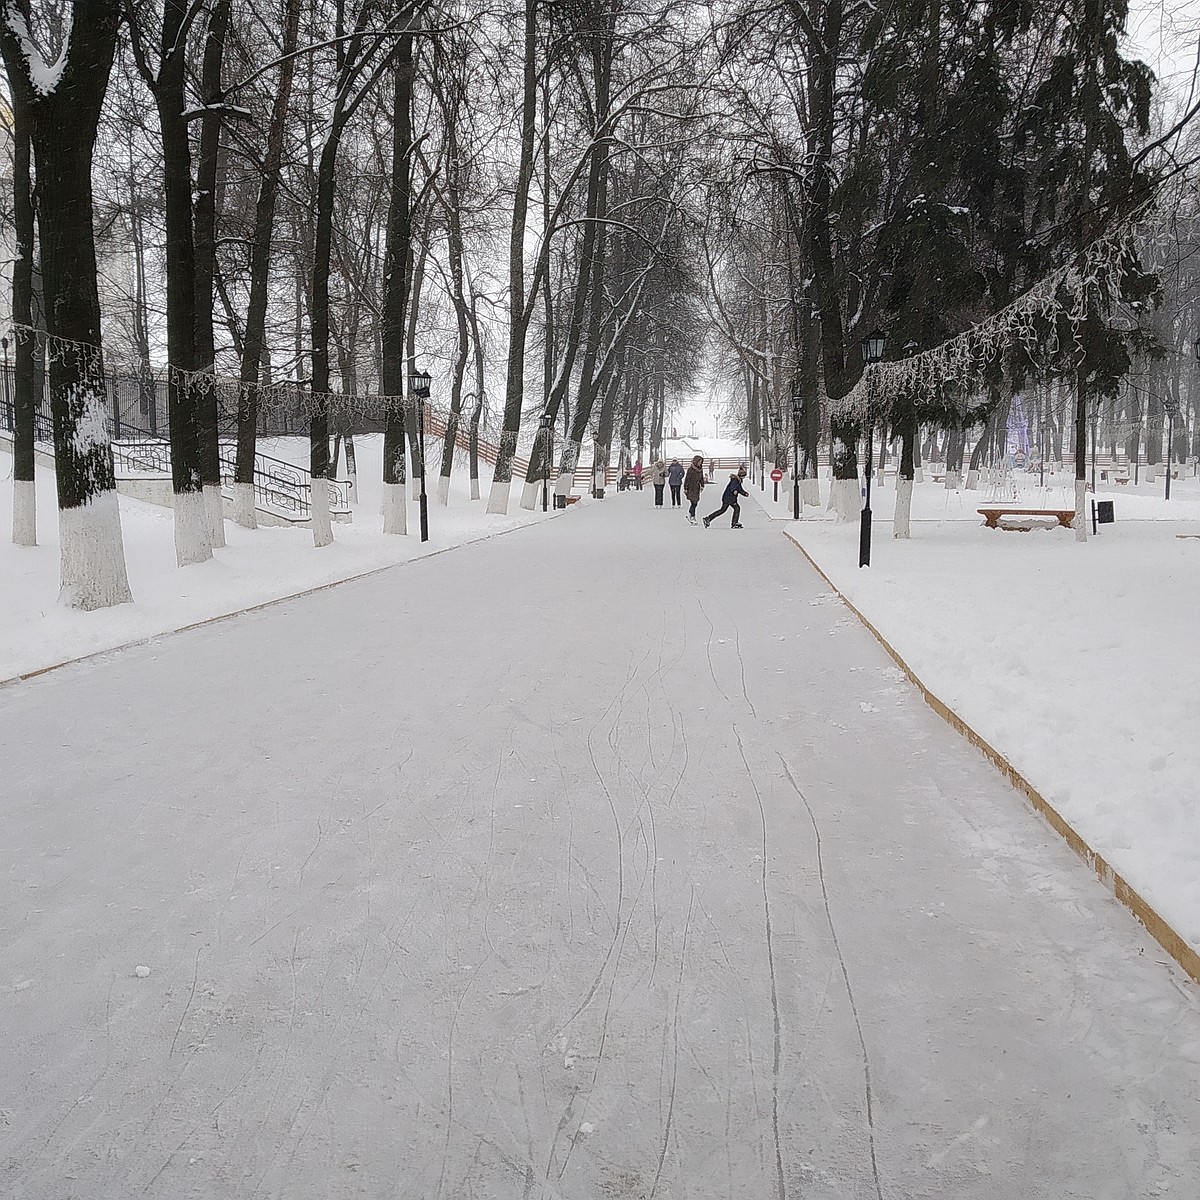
607, 859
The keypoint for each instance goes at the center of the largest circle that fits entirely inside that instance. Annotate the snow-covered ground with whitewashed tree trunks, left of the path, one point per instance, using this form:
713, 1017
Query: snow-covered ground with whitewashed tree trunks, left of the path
256, 567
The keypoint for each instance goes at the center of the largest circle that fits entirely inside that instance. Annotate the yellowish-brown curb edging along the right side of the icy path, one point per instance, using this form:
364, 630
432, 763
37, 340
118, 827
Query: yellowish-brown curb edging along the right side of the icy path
1117, 884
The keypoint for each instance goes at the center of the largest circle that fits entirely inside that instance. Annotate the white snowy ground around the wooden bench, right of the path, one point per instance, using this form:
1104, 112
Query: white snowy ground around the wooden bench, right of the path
1072, 661
